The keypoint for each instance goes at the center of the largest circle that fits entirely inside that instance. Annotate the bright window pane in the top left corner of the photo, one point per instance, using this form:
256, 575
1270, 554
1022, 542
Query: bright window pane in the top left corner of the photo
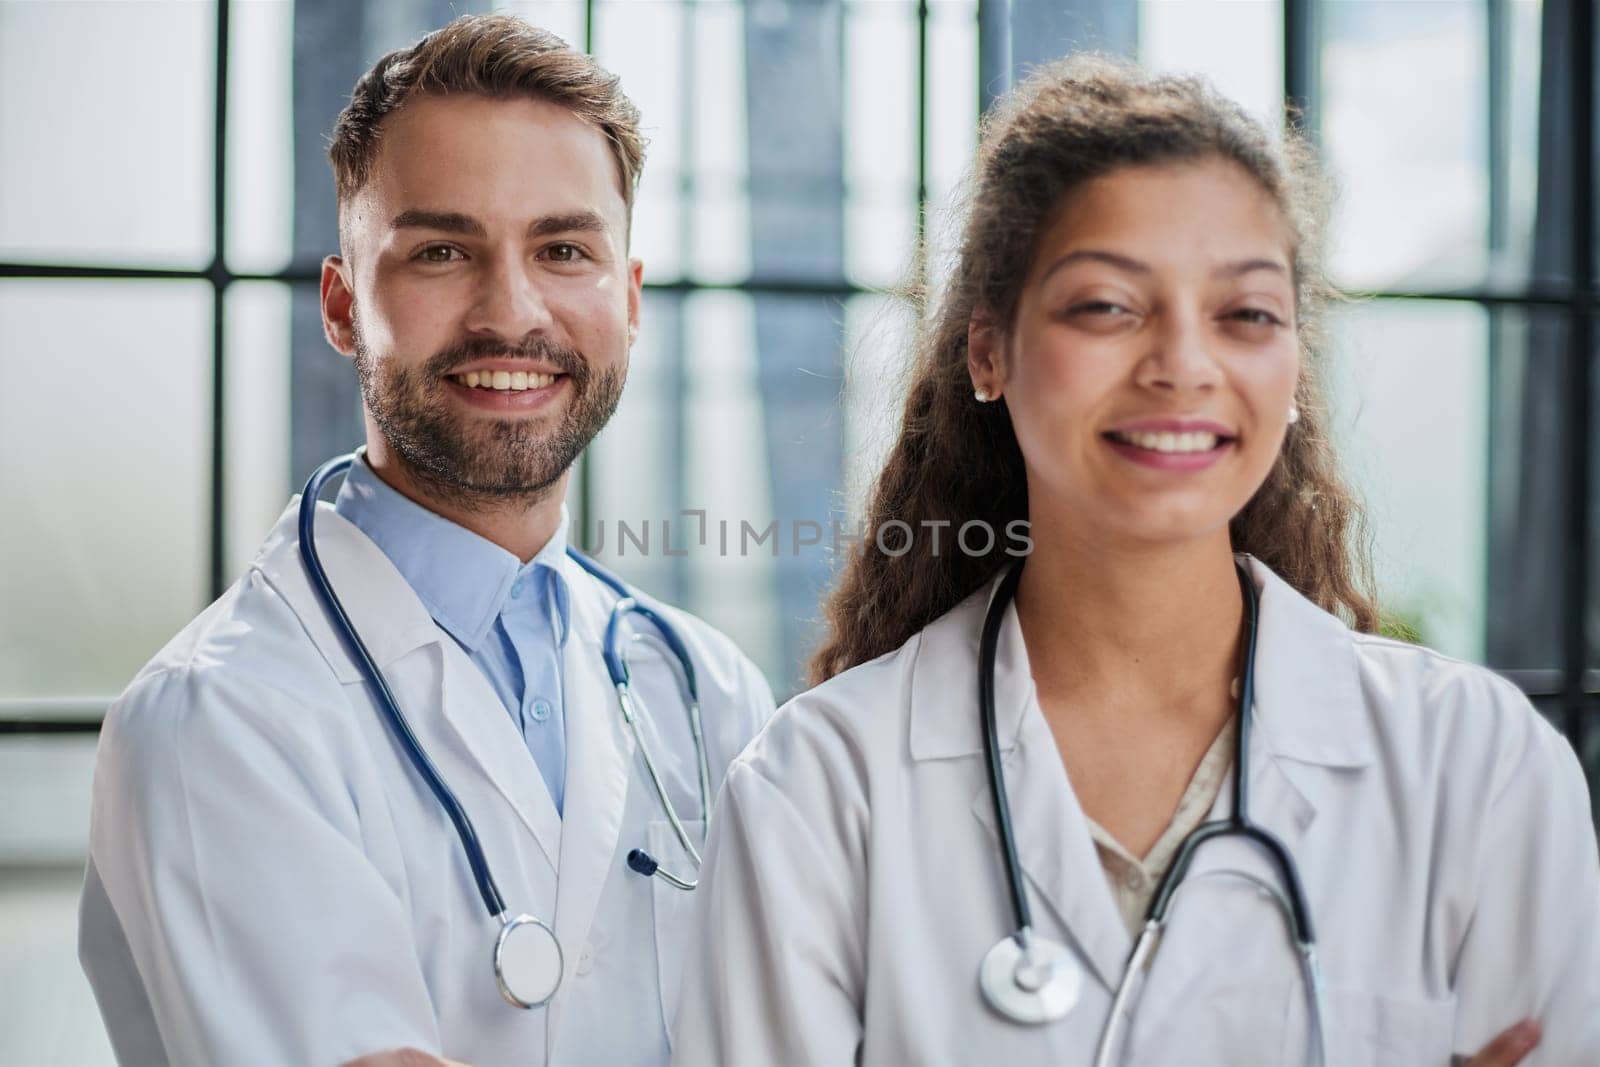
106, 127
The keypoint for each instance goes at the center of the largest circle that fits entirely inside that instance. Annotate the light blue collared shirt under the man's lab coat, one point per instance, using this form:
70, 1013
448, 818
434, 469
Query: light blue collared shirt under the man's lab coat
508, 617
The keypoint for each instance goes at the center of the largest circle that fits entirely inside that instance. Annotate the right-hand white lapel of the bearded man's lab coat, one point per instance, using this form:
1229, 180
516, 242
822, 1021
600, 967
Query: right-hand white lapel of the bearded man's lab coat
599, 764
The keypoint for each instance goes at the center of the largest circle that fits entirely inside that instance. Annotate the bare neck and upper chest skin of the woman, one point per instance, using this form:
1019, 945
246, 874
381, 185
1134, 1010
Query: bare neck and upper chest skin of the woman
1134, 653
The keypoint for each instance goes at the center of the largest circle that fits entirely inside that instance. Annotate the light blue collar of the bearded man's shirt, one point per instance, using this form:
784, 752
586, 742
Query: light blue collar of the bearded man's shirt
463, 580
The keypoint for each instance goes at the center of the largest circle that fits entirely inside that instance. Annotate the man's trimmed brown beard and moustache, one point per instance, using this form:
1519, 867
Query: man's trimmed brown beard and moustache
476, 462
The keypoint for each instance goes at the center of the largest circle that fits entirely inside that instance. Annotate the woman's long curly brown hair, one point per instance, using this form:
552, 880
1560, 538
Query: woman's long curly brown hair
958, 460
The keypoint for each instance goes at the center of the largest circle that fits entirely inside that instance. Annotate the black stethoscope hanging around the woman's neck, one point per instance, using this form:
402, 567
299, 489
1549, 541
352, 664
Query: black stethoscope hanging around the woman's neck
1034, 980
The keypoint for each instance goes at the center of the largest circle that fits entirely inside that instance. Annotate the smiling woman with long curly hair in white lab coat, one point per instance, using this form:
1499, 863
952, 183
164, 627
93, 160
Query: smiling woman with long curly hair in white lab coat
1126, 358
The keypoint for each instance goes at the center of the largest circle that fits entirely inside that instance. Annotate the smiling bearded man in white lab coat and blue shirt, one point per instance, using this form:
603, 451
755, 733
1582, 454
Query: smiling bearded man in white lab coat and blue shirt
271, 879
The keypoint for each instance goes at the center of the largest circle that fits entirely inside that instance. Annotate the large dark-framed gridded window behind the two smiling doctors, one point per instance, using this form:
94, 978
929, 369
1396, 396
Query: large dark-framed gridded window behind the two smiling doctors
164, 383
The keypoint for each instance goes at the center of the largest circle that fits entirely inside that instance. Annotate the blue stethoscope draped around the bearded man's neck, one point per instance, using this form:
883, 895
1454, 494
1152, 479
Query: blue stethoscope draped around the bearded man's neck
529, 959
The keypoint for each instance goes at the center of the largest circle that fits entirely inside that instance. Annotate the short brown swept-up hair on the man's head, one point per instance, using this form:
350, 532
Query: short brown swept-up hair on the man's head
487, 55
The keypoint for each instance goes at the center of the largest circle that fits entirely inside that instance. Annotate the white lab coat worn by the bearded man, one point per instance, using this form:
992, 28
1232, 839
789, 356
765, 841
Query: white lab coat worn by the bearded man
273, 884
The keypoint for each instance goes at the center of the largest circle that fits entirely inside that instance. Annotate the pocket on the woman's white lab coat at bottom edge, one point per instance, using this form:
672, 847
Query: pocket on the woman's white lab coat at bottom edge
1372, 1029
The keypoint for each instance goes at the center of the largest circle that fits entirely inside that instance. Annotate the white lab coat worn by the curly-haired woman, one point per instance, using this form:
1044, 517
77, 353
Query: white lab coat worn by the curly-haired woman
1441, 826
